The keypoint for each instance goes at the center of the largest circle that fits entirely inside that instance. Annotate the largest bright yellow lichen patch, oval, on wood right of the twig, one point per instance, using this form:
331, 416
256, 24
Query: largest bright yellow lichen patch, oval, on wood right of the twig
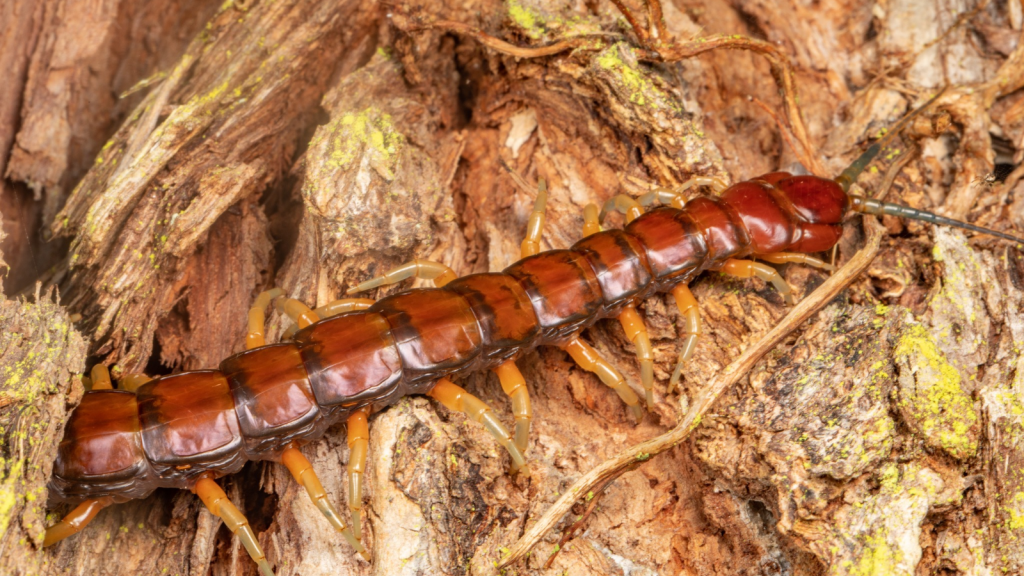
935, 403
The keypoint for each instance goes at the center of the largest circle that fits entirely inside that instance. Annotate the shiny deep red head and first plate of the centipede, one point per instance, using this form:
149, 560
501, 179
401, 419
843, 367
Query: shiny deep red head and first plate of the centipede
784, 213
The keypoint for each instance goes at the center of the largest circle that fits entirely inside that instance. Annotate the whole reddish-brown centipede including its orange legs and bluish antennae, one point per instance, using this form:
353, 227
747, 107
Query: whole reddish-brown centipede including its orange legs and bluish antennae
355, 356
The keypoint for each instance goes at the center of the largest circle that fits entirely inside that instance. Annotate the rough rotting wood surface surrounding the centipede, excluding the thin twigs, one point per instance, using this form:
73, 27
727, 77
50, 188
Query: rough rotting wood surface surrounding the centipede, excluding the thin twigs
314, 145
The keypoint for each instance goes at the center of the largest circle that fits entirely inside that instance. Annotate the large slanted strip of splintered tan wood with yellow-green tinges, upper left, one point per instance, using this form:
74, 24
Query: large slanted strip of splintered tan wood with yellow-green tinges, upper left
224, 127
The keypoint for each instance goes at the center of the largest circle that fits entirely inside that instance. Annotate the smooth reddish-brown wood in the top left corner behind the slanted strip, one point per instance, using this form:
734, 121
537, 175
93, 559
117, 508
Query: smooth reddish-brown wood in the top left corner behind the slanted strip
69, 69
